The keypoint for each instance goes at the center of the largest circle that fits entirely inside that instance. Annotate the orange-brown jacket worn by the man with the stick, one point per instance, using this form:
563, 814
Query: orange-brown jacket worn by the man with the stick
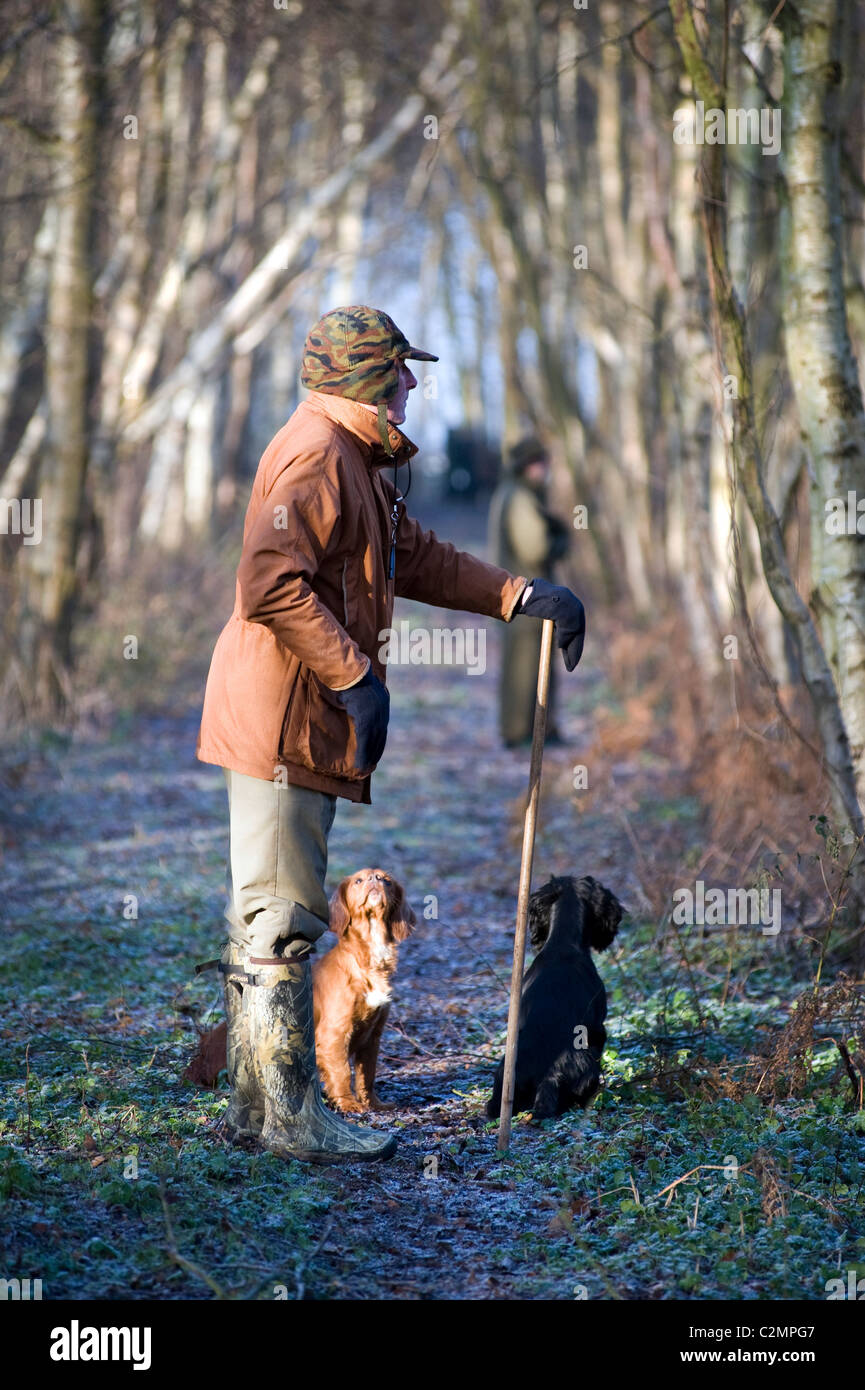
314, 596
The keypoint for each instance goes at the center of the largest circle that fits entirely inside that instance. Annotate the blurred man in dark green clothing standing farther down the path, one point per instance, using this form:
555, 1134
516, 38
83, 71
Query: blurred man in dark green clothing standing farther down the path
525, 536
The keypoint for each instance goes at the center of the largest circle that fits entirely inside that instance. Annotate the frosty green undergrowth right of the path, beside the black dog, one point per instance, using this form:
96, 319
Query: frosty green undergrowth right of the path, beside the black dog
671, 1189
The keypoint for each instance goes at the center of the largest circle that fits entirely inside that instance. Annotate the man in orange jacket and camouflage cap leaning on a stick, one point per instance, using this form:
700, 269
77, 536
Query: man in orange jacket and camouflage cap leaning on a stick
297, 711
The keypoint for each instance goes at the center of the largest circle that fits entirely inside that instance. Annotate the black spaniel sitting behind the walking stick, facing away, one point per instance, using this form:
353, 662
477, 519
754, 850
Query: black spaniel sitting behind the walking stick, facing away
564, 1001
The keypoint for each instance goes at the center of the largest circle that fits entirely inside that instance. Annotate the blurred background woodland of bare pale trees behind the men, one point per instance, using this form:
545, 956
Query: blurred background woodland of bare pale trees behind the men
187, 187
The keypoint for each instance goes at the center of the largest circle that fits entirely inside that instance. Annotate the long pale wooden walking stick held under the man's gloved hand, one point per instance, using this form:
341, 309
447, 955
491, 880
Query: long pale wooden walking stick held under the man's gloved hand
522, 903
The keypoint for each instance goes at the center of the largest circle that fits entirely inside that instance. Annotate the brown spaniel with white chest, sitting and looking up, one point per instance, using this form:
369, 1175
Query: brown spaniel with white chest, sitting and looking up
353, 985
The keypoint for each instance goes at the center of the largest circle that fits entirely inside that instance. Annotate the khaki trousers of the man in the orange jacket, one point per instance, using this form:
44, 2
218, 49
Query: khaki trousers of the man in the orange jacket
277, 862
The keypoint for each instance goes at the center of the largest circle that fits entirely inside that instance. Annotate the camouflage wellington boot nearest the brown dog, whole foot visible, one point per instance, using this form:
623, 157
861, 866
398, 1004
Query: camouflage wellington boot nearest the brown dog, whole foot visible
297, 1122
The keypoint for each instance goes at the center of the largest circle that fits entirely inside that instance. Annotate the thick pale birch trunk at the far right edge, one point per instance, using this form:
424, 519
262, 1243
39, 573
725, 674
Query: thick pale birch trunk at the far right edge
820, 355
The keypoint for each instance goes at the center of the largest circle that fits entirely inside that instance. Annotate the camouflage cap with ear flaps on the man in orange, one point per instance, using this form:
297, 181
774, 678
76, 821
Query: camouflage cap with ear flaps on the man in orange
354, 352
